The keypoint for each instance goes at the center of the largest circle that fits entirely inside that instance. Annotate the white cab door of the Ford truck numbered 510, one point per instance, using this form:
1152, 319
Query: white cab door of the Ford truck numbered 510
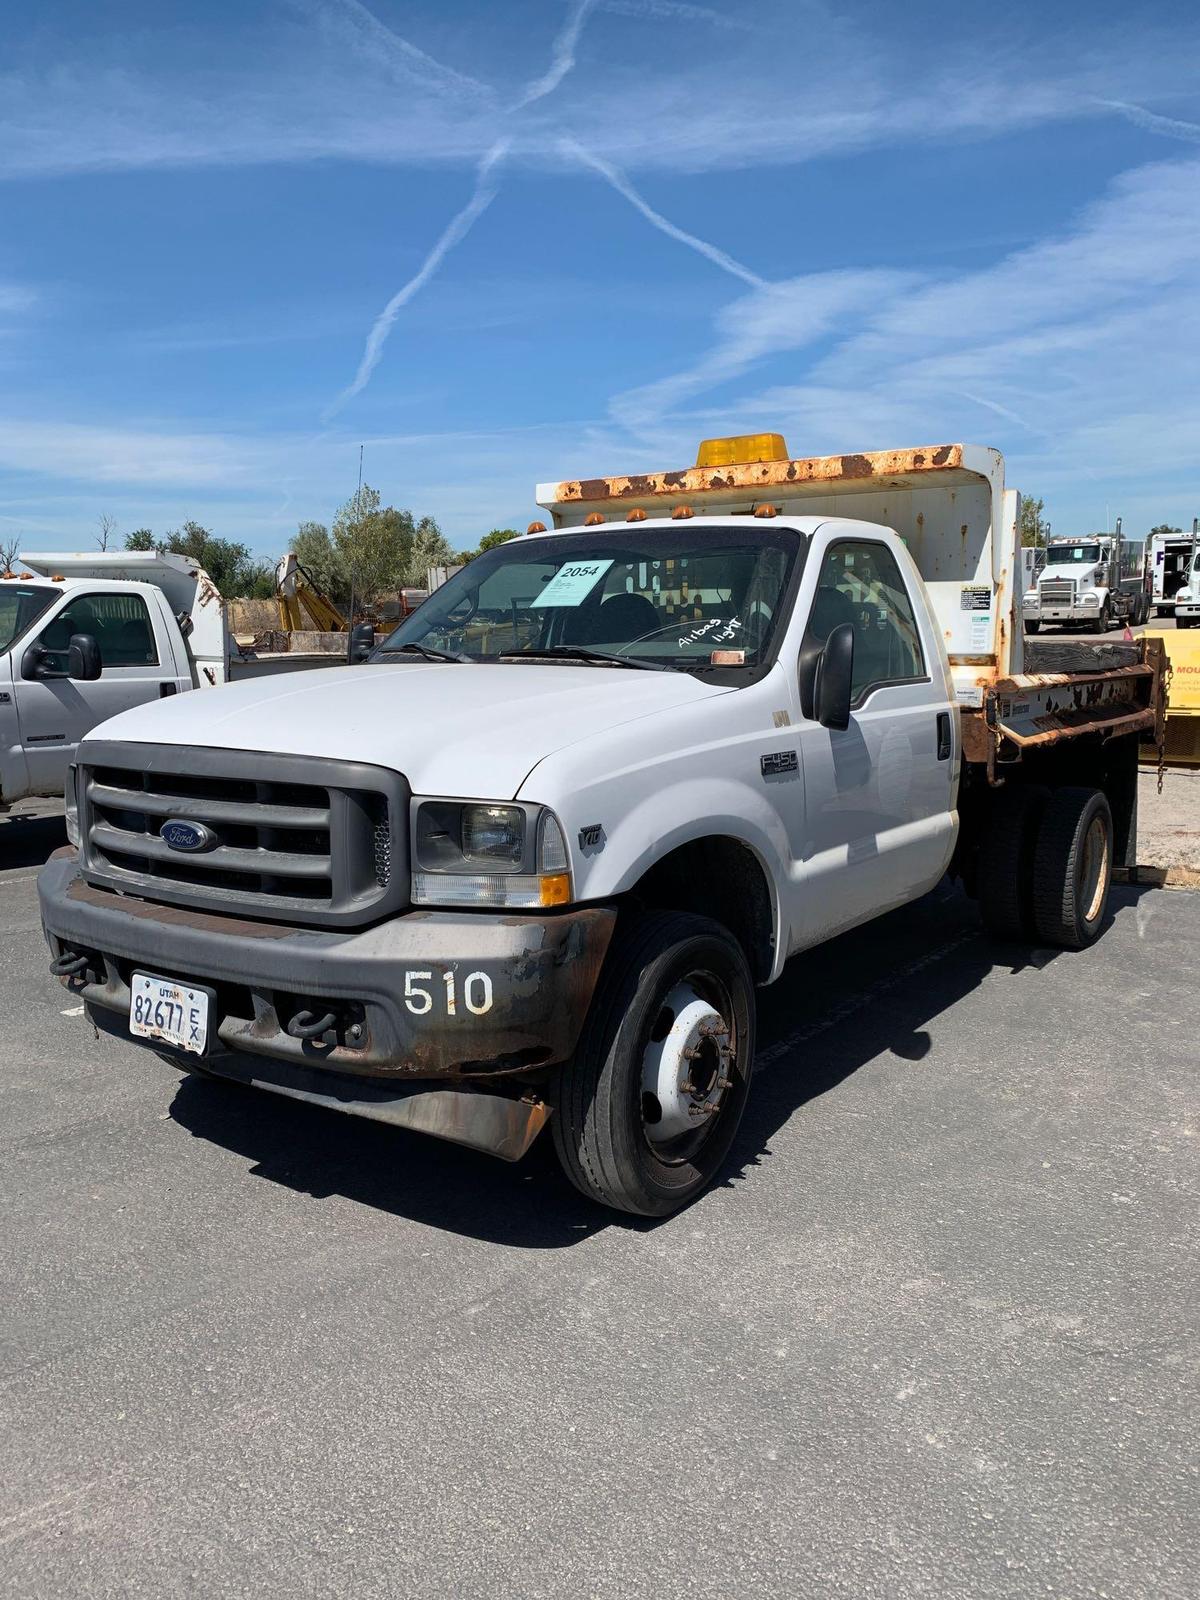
879, 822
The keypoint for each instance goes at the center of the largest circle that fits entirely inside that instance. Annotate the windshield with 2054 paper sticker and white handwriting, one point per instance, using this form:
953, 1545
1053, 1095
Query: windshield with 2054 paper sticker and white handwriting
705, 599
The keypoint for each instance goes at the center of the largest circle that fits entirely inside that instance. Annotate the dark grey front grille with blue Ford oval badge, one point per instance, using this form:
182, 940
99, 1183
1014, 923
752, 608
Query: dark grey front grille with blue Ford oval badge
294, 839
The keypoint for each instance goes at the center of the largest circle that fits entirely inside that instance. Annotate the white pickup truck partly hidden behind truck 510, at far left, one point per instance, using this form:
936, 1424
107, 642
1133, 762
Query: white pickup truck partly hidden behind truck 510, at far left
86, 636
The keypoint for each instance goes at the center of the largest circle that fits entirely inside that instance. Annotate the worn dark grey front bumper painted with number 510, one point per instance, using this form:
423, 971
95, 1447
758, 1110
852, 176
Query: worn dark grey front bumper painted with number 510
402, 993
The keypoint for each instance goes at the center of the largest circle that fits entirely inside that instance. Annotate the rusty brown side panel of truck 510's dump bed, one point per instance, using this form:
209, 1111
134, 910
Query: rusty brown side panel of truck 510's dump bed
1036, 711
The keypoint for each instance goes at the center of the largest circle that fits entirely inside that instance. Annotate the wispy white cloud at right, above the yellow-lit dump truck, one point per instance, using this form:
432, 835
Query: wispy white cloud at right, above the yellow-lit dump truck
1074, 356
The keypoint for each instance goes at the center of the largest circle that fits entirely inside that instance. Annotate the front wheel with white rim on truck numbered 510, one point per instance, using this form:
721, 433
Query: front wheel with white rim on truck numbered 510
647, 1110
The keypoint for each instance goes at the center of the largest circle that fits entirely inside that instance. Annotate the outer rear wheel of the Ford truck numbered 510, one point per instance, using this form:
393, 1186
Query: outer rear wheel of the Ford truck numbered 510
1073, 868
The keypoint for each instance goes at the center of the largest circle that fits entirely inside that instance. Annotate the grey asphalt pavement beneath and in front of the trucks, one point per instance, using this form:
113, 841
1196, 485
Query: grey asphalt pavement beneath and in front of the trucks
935, 1334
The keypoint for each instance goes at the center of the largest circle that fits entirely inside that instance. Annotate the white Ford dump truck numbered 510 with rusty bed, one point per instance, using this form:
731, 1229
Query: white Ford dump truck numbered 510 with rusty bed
530, 860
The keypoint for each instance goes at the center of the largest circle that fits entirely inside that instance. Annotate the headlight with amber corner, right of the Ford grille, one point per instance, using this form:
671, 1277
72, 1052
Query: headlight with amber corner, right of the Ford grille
473, 854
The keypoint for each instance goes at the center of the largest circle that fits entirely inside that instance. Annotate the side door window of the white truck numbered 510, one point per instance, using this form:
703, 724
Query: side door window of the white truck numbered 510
862, 585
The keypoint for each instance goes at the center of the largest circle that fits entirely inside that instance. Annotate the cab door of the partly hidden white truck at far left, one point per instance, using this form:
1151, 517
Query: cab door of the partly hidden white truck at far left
55, 713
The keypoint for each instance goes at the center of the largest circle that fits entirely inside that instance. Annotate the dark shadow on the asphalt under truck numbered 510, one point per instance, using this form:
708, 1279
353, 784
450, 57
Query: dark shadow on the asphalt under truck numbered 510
870, 993
